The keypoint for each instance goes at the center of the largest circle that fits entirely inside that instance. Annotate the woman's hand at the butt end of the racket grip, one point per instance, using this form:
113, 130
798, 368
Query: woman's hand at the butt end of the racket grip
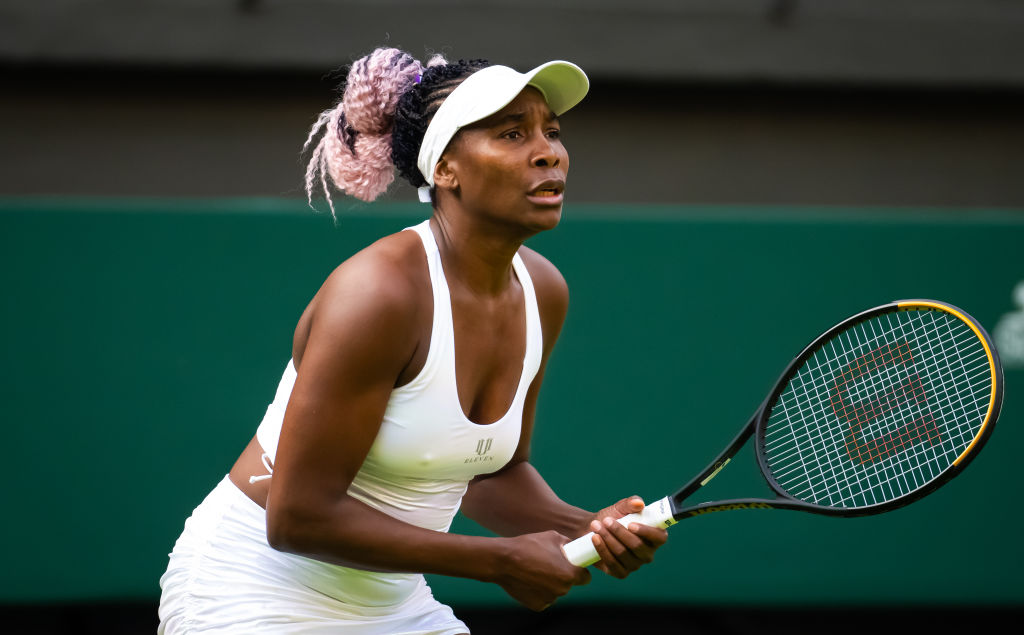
535, 571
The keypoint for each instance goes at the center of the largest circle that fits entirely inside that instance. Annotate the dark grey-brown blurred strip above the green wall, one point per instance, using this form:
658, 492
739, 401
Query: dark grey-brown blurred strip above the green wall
793, 103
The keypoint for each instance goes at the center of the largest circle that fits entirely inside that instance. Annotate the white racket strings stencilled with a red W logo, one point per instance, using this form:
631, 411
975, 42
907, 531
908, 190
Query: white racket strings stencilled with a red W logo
880, 410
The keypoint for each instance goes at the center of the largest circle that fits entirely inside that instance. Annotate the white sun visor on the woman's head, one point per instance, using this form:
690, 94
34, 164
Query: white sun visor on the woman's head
482, 95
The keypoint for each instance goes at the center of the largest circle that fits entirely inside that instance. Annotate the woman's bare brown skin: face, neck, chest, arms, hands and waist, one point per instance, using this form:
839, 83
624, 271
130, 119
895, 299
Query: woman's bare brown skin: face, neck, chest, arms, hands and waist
368, 330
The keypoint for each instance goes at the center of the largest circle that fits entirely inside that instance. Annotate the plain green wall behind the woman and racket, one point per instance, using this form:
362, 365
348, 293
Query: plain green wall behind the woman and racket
142, 342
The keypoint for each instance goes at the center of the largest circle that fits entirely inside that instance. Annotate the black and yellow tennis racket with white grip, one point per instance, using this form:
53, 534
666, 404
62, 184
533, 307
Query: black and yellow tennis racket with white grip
878, 412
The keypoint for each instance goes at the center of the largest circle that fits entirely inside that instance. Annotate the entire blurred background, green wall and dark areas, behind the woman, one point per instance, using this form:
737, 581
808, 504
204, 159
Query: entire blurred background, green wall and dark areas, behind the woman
157, 250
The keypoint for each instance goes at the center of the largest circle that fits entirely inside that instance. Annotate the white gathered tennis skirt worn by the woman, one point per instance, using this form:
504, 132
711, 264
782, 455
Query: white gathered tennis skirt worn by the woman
225, 578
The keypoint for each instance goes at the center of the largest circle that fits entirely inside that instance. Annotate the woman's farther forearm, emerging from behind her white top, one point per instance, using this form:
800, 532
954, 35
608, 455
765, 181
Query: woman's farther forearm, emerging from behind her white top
519, 501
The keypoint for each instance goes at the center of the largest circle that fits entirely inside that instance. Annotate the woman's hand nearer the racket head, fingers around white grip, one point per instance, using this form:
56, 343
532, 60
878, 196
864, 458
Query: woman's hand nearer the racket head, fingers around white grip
624, 549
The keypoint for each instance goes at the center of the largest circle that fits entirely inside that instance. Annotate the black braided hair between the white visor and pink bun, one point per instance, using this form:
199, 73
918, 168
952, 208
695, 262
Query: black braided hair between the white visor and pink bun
417, 107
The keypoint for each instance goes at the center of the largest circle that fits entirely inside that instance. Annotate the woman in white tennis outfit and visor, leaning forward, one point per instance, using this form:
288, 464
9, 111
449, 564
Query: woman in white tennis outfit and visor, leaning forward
345, 497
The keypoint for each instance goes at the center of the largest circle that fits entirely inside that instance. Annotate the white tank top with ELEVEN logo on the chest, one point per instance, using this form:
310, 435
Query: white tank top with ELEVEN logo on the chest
428, 451
